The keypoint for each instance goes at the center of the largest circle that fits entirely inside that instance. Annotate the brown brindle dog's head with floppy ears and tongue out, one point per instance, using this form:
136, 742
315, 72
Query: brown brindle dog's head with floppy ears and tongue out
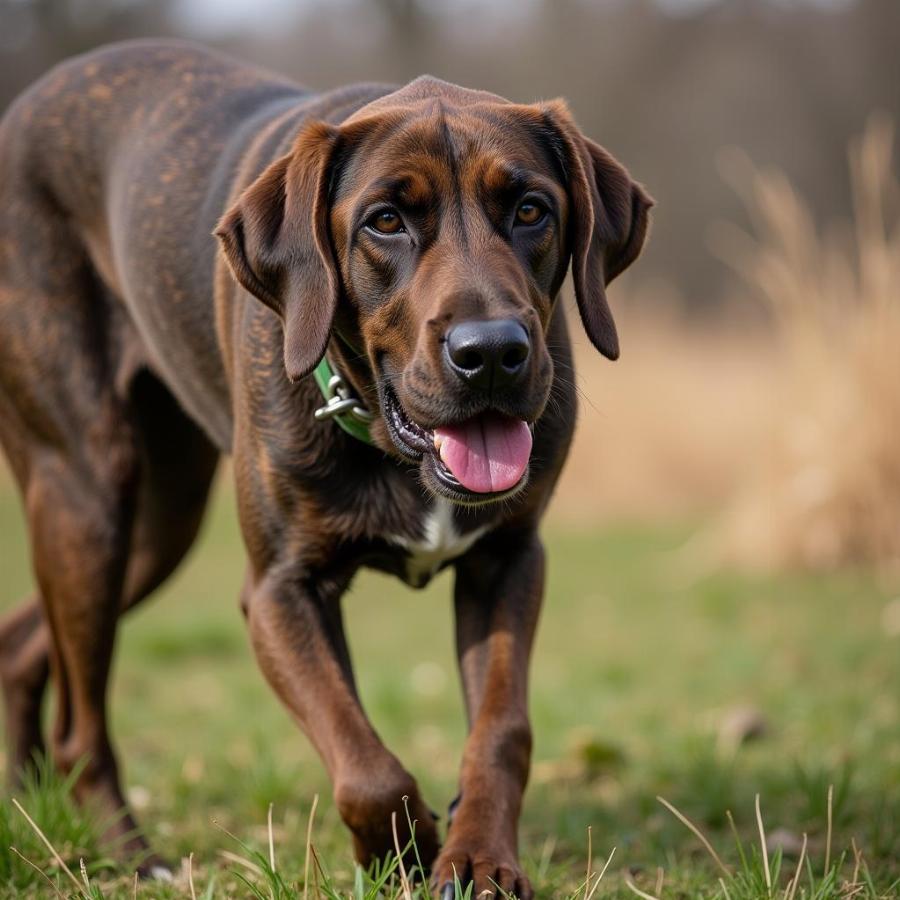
432, 231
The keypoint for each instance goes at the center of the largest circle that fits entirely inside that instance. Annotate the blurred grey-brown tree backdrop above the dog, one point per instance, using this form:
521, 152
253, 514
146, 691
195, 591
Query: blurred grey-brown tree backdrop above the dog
790, 83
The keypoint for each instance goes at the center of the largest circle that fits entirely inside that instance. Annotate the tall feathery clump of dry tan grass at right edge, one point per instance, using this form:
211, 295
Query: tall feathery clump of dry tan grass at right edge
826, 491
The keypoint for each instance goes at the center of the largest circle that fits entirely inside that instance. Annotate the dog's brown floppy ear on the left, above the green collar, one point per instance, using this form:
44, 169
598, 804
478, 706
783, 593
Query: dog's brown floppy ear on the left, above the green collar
275, 239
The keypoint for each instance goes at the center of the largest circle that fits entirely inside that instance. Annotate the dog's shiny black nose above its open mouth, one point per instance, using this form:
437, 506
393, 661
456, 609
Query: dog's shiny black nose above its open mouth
490, 354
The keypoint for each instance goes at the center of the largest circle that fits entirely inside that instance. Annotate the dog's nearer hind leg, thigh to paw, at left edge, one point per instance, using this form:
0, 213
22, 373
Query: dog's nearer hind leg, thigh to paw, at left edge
74, 453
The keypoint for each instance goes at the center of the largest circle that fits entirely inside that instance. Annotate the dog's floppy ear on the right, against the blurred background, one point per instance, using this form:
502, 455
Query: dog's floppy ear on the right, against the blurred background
608, 223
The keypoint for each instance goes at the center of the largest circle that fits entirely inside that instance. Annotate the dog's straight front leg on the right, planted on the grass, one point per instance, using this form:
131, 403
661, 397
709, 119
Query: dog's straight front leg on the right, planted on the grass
499, 587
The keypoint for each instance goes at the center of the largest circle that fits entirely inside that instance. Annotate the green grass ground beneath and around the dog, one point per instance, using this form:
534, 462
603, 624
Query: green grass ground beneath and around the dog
636, 668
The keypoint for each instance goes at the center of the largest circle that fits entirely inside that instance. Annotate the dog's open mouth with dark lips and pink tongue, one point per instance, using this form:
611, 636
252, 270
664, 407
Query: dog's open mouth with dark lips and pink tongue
486, 455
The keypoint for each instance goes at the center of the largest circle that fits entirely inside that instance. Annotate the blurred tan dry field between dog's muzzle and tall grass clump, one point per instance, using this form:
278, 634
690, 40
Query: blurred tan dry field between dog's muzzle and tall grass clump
668, 430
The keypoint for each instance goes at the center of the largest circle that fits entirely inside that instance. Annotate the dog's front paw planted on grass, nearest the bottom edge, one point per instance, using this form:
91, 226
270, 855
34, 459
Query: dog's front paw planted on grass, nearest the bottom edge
492, 874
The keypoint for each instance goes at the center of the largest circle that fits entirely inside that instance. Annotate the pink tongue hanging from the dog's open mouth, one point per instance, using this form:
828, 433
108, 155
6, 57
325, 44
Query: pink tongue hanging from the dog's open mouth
488, 453
